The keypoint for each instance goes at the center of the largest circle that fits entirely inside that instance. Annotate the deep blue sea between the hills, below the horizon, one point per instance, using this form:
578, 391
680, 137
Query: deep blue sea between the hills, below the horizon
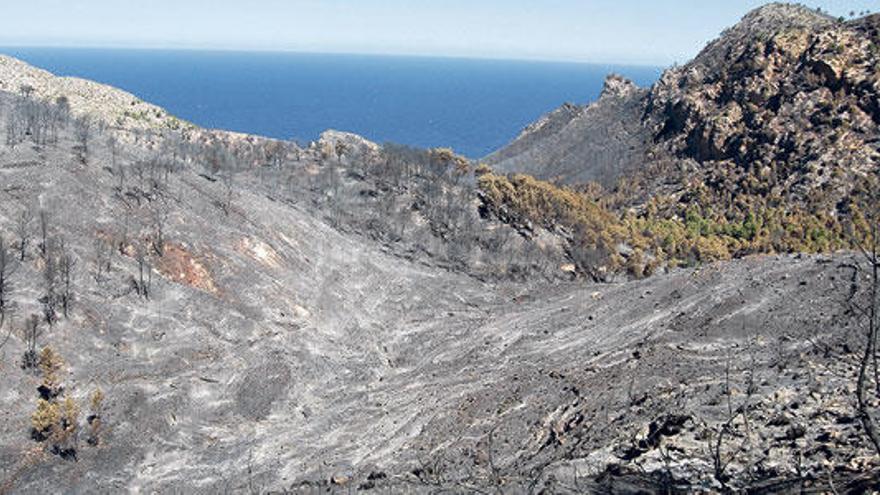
472, 106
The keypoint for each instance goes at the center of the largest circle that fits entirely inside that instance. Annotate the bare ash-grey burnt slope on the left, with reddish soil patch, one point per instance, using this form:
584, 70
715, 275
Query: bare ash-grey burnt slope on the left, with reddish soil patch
258, 314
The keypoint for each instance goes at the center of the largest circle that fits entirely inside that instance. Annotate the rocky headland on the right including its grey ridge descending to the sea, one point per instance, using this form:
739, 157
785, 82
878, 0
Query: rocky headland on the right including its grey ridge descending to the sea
788, 90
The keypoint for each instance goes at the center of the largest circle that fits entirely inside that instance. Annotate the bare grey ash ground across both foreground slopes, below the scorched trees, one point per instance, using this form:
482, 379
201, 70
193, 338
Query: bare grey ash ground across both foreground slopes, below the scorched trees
278, 353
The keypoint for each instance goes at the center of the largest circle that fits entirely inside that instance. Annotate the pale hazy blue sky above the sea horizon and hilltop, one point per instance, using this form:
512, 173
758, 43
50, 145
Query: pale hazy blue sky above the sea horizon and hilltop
607, 31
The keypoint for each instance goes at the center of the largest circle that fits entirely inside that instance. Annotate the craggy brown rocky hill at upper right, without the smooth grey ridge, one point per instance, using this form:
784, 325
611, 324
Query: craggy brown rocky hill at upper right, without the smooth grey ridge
787, 100
